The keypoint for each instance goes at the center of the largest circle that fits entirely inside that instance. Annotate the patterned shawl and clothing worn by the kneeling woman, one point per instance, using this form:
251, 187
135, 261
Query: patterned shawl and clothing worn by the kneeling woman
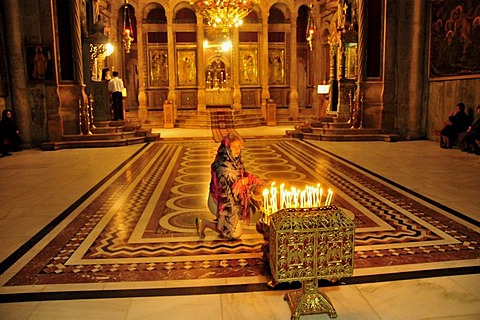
230, 195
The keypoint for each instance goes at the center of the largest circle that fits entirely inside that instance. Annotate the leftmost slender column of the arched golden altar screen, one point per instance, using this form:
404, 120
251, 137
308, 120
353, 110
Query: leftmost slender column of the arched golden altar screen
142, 65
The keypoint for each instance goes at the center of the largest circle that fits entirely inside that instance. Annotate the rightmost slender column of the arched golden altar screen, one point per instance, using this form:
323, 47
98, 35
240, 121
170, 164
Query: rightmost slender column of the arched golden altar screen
293, 67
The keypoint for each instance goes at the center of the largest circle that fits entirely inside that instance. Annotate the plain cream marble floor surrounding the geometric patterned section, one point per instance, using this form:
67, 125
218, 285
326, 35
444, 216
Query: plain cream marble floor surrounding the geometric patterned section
37, 187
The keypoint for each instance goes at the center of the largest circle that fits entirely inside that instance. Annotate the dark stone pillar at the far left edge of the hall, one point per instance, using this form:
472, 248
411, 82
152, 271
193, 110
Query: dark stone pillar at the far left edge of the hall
16, 62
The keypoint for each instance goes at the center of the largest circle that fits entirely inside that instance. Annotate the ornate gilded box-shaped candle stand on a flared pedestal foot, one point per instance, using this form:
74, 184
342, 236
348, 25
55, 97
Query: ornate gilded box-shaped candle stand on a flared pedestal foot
307, 245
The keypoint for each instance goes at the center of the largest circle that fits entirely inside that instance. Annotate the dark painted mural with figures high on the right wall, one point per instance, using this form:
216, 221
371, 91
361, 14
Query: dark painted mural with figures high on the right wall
455, 38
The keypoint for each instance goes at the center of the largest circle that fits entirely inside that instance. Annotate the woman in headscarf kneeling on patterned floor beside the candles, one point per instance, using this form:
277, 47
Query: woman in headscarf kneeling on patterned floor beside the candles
231, 191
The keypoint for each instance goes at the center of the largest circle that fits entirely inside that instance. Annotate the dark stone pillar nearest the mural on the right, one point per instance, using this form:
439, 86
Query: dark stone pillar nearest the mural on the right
417, 65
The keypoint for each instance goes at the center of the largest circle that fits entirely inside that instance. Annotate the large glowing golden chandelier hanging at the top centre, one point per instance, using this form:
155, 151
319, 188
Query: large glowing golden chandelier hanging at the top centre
224, 15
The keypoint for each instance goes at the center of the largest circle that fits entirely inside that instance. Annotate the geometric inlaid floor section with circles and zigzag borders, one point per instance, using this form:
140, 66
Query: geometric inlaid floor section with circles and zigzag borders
139, 224
